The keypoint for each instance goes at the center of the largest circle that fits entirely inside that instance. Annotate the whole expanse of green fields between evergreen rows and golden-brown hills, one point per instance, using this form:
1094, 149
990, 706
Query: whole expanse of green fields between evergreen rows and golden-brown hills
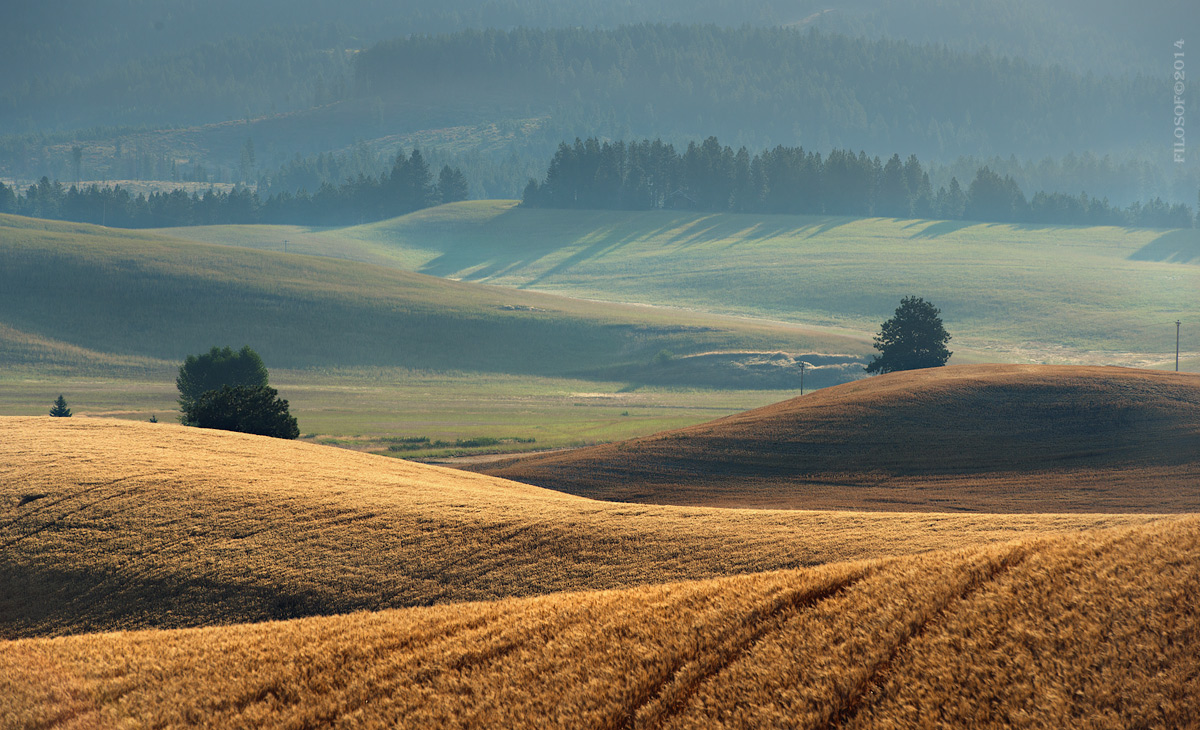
371, 351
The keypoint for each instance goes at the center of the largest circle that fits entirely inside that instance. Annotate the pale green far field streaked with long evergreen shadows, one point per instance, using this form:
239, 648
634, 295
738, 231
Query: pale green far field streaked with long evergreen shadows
1024, 294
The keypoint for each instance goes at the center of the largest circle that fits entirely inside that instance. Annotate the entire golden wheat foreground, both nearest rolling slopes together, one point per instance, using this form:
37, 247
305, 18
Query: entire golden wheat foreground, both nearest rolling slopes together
154, 576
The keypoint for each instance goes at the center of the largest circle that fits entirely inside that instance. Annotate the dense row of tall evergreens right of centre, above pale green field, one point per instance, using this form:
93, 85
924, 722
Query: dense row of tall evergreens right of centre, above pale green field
709, 177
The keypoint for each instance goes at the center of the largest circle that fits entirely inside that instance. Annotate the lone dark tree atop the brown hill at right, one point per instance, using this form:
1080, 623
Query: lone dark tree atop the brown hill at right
913, 339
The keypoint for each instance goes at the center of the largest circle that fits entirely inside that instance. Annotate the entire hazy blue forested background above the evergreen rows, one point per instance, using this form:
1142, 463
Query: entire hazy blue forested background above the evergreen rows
1066, 97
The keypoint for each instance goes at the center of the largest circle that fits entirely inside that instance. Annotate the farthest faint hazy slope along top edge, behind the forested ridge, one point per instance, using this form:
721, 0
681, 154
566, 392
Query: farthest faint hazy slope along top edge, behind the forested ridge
67, 58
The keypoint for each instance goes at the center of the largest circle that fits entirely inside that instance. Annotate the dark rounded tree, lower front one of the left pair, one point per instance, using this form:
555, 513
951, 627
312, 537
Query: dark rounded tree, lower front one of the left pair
244, 409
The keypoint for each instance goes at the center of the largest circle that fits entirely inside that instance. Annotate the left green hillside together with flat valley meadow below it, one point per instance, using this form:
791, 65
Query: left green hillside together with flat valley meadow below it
368, 356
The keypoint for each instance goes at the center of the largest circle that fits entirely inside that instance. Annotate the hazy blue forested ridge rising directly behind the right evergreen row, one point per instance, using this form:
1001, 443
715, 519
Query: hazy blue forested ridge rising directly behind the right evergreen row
766, 86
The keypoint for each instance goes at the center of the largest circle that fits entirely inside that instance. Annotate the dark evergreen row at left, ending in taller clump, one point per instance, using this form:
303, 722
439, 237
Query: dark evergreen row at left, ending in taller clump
409, 187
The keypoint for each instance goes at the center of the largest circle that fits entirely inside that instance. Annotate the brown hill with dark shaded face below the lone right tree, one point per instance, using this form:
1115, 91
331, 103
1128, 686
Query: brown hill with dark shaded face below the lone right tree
1005, 439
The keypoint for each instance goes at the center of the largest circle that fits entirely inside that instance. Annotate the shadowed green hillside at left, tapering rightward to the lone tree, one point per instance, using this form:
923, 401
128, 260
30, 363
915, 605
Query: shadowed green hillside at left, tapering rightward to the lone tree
101, 297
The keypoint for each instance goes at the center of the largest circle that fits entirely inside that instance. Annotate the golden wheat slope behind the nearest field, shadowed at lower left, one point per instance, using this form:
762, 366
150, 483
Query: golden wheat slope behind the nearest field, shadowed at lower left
118, 525
